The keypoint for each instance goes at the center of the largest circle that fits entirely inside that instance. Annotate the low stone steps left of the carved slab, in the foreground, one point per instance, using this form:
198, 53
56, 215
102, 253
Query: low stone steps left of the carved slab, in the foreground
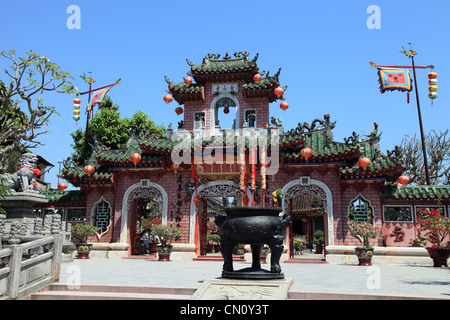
112, 292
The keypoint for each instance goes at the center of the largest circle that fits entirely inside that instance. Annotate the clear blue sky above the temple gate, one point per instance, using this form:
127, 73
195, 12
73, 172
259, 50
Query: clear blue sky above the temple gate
323, 48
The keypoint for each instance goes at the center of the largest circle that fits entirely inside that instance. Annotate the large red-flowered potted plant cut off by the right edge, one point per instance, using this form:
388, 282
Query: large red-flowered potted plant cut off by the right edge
435, 228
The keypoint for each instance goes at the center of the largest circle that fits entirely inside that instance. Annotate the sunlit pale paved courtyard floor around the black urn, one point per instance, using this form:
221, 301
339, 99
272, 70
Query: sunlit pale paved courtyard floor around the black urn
390, 280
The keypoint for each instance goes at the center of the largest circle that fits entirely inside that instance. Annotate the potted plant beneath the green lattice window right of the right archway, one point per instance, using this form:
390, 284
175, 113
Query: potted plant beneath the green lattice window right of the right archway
364, 231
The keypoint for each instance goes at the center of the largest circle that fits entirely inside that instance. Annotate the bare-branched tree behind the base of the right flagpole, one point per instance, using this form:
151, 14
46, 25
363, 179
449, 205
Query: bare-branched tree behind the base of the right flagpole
438, 154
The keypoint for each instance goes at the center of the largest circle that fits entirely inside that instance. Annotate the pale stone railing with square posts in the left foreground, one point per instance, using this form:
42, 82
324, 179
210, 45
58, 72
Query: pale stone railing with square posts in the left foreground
28, 267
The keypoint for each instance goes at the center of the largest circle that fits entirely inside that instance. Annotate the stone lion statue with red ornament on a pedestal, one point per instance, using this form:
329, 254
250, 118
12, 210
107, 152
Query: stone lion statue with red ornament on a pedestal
22, 179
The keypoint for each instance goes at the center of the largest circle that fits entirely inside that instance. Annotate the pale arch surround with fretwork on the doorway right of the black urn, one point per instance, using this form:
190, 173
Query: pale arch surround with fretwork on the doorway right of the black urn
307, 186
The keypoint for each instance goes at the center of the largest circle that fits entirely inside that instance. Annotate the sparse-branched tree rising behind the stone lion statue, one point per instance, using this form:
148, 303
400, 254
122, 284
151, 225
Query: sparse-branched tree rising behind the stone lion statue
26, 80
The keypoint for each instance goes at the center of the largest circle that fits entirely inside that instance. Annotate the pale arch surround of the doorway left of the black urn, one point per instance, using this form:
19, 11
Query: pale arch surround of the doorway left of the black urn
142, 189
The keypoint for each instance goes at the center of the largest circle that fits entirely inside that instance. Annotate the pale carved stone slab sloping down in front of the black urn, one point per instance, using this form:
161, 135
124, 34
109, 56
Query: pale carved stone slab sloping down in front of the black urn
225, 289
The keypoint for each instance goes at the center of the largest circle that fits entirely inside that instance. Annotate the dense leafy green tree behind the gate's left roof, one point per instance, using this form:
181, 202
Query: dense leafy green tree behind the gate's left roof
108, 128
